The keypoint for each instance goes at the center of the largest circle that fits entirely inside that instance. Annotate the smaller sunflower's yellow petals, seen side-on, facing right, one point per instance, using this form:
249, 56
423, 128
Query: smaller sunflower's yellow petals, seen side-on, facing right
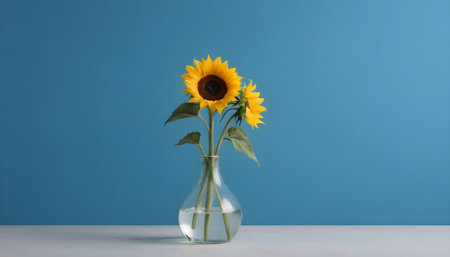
253, 107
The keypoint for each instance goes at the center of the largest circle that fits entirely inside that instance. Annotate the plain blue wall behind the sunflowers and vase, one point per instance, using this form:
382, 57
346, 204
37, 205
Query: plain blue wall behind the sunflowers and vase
357, 128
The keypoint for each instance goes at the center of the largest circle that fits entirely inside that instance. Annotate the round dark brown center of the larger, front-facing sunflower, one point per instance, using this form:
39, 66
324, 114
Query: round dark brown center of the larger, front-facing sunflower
212, 88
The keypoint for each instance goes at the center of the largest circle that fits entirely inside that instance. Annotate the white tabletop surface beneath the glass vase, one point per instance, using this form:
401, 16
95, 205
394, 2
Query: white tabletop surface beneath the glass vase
274, 241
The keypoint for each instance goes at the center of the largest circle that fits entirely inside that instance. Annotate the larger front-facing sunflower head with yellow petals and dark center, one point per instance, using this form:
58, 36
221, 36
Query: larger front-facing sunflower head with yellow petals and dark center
212, 83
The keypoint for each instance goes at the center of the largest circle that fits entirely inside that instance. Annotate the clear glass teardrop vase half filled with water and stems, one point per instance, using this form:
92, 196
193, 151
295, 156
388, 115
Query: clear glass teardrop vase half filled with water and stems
210, 213
